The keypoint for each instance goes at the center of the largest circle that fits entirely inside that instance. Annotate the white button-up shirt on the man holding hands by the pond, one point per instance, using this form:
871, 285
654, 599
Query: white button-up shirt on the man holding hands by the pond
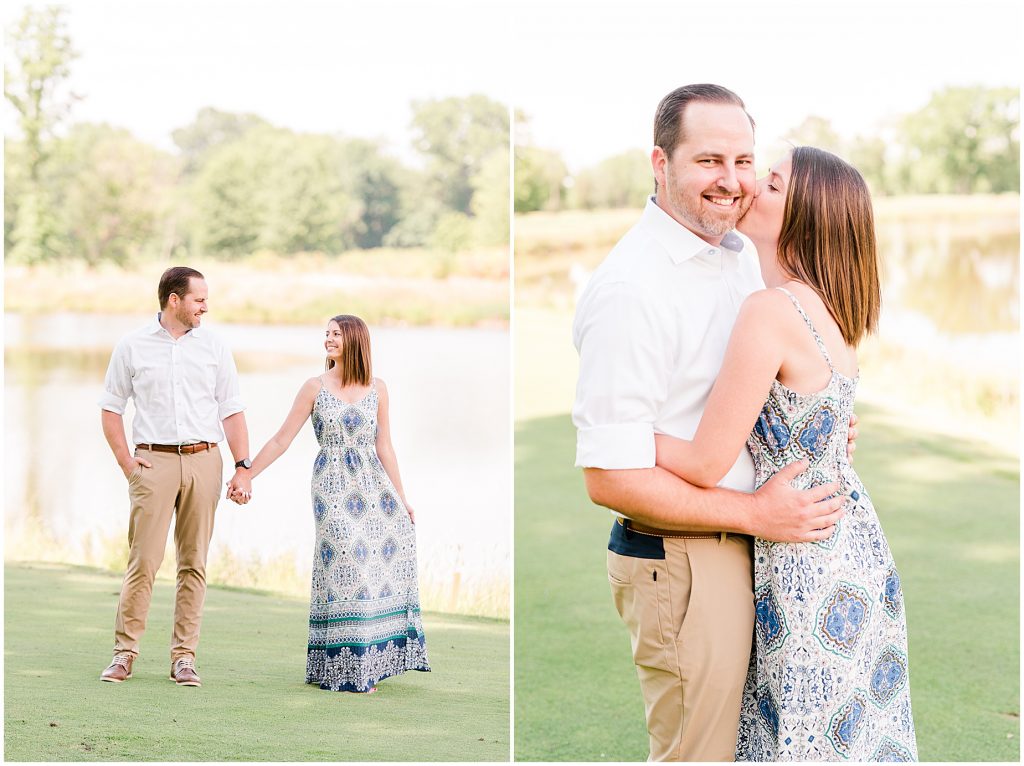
183, 389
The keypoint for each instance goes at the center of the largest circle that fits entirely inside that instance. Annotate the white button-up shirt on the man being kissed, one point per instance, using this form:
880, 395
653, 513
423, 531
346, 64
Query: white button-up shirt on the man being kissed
652, 329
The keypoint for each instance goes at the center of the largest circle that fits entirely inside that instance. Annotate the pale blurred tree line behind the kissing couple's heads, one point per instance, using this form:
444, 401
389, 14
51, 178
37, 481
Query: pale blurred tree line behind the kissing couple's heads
965, 141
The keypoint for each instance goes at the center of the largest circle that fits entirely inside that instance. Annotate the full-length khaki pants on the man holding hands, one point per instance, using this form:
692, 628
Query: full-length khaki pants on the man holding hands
187, 487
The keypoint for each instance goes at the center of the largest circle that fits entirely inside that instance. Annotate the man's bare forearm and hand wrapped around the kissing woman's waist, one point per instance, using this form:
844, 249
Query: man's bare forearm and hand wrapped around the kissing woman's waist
658, 498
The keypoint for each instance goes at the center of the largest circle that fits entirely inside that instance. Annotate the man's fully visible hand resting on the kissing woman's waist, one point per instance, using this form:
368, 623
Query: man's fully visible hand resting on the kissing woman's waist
784, 515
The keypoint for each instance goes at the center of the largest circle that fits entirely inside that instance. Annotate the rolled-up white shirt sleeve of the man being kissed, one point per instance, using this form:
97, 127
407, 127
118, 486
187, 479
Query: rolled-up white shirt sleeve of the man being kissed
624, 377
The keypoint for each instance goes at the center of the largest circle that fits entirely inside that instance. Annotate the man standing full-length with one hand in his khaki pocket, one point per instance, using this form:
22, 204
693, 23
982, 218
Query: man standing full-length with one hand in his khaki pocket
186, 389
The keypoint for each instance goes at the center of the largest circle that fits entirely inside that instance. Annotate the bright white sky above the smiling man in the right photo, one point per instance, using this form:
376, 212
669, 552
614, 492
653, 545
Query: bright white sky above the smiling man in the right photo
593, 73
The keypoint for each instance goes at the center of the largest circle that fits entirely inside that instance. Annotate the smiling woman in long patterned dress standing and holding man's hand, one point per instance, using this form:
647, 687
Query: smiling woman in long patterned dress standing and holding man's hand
365, 609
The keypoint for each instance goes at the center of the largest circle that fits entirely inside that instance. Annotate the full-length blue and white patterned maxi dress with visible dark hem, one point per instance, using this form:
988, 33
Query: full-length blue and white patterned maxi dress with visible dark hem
365, 621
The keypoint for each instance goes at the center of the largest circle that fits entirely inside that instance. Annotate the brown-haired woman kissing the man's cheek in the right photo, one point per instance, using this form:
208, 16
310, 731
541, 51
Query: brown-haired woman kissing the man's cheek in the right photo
829, 673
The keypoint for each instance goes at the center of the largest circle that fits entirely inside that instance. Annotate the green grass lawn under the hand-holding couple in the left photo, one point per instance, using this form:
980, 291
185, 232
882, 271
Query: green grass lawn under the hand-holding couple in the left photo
253, 705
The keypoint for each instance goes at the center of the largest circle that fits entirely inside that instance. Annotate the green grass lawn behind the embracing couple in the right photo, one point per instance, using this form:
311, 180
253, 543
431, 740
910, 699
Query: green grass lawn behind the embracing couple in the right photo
951, 513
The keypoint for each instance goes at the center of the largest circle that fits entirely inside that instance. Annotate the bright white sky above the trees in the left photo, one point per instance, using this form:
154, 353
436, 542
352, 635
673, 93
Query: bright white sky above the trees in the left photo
350, 68
